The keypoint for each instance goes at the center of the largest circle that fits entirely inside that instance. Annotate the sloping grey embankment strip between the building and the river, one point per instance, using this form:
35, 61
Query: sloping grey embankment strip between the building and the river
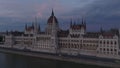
61, 58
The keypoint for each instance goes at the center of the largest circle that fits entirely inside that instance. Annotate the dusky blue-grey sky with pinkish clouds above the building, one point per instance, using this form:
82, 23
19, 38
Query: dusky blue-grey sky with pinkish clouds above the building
14, 14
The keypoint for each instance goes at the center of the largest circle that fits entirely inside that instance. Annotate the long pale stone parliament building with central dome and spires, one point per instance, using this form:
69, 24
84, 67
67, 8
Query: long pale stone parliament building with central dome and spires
74, 41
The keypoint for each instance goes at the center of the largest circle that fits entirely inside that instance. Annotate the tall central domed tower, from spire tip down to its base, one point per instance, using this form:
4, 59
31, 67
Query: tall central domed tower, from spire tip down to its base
52, 29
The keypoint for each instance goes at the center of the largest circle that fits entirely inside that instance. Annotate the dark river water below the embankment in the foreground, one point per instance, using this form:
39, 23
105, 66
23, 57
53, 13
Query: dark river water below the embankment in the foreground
18, 61
